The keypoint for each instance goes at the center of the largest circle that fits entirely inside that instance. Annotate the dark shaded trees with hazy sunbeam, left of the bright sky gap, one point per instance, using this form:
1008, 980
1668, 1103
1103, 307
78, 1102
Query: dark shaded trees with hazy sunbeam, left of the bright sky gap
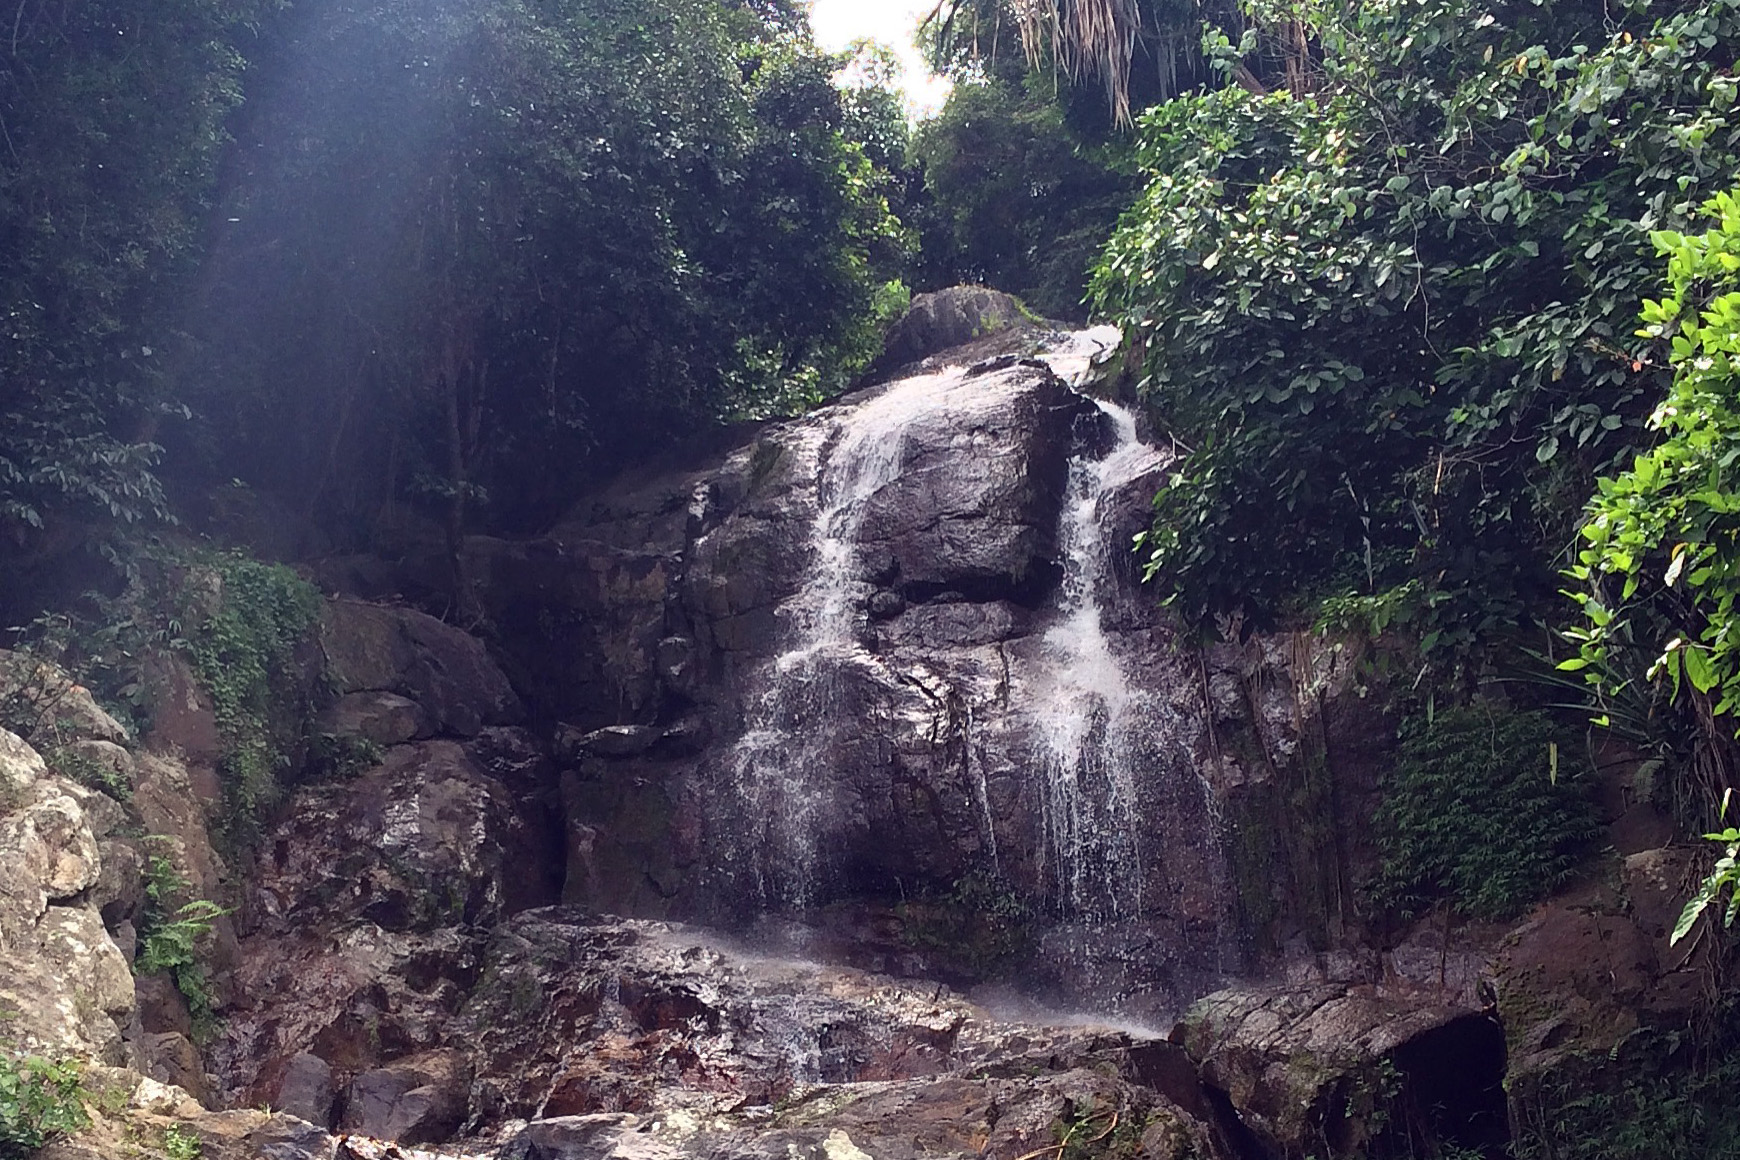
453, 258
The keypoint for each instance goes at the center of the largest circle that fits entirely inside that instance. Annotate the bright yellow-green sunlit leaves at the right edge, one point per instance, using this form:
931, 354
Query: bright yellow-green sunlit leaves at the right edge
1661, 557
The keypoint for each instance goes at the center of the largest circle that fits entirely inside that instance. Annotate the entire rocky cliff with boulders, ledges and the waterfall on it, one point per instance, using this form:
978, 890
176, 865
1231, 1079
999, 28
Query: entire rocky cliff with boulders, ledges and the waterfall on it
927, 829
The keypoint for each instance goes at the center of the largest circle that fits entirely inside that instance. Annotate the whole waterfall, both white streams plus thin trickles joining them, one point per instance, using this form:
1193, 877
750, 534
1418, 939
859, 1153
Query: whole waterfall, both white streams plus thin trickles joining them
1087, 735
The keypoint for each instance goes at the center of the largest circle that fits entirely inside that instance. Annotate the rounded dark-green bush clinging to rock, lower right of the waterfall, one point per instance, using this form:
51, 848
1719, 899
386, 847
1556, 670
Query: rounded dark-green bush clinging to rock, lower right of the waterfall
1487, 808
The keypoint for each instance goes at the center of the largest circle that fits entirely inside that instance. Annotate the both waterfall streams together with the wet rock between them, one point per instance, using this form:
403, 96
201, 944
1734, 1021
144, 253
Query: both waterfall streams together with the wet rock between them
1067, 780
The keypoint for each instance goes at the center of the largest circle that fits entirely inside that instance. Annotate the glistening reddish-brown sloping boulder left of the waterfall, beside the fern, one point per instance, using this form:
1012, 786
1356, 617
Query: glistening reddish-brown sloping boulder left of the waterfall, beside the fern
368, 910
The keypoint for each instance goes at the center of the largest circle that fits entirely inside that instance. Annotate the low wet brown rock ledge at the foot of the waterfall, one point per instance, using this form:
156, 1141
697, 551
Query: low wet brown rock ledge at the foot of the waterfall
617, 1036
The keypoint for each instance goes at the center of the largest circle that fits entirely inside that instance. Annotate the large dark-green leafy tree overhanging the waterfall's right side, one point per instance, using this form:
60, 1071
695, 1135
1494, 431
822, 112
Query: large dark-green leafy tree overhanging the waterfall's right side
1388, 323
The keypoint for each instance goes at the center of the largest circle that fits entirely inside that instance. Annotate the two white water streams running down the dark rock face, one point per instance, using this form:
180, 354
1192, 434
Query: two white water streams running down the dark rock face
1094, 726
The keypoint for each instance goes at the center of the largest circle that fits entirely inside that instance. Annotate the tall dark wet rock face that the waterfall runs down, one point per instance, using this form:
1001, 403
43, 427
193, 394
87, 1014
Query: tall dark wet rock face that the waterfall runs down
718, 766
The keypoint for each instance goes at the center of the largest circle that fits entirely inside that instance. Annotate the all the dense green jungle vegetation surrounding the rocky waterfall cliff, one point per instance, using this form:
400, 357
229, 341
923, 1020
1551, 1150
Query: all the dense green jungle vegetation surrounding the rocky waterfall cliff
1391, 279
